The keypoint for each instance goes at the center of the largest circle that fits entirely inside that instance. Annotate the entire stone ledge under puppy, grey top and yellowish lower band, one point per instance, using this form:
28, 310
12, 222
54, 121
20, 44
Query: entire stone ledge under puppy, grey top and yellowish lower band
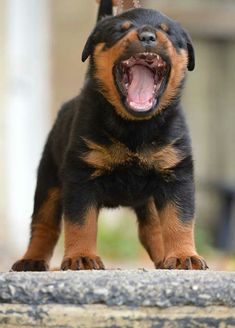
135, 298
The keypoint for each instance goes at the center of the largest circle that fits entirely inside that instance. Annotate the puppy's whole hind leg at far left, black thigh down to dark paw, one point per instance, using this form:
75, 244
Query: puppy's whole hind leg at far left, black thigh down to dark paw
46, 218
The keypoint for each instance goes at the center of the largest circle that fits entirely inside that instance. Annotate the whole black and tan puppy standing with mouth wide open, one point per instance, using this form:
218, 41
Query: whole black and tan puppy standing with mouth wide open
122, 142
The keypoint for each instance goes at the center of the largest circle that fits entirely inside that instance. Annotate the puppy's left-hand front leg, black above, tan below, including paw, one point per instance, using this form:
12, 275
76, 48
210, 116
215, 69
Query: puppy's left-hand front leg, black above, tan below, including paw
80, 229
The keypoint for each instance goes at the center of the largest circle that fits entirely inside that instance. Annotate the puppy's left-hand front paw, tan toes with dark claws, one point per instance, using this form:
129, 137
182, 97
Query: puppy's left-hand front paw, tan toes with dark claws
83, 262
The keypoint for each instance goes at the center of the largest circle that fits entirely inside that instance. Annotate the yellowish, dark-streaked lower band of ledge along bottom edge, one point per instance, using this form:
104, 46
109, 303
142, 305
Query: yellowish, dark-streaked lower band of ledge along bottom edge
101, 316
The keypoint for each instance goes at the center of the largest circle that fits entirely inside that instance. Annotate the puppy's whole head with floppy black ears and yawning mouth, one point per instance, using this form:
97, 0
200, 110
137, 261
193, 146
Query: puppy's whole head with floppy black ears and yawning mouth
139, 60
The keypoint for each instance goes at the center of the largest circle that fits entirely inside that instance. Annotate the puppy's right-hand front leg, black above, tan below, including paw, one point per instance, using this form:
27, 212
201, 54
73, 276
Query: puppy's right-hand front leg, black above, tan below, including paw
177, 221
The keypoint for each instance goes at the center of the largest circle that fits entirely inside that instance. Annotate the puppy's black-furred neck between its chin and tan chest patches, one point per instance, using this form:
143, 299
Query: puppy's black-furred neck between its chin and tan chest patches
130, 132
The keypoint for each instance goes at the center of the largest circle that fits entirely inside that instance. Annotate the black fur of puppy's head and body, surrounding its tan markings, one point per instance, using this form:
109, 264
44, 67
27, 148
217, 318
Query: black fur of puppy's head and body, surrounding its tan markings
92, 117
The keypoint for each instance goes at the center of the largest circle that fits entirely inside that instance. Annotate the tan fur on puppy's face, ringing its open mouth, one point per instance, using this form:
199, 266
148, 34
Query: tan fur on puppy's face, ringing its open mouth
106, 59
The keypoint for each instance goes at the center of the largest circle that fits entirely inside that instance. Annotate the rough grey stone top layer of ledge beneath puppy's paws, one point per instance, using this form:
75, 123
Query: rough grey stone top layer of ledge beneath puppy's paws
159, 288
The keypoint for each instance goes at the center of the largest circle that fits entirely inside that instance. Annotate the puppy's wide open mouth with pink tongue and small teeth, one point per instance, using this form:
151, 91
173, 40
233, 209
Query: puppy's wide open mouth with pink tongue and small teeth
141, 80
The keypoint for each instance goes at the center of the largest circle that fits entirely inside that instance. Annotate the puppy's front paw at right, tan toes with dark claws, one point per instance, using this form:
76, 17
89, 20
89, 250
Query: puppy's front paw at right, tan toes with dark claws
194, 262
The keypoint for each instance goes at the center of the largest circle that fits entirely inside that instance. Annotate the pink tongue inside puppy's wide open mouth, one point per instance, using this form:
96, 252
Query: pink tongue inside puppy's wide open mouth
140, 91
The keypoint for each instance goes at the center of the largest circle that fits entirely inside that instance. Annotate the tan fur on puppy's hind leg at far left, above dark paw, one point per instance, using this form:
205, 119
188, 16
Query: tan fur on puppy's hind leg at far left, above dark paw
45, 230
